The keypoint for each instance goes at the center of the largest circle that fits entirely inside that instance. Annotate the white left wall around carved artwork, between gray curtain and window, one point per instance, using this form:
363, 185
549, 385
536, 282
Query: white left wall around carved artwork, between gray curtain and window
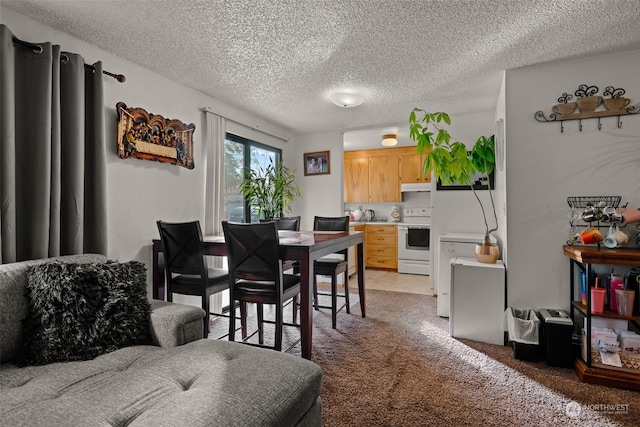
140, 191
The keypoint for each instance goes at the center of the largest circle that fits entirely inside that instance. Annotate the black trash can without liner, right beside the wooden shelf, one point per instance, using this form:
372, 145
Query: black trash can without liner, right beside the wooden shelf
556, 328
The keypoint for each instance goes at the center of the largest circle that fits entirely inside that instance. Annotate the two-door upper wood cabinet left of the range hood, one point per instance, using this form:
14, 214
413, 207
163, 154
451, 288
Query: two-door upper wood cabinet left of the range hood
371, 176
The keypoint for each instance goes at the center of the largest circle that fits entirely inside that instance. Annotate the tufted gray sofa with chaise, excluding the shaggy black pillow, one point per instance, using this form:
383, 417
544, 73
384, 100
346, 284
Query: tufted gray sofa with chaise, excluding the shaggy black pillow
181, 380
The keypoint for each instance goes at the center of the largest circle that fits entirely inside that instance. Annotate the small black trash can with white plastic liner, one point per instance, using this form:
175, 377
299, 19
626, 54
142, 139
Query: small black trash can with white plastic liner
523, 327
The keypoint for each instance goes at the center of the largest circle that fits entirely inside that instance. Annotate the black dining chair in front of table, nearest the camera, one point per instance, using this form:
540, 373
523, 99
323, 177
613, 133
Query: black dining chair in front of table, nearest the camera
256, 276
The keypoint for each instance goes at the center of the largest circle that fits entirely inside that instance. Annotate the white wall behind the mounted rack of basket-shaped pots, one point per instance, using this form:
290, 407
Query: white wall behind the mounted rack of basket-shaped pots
546, 166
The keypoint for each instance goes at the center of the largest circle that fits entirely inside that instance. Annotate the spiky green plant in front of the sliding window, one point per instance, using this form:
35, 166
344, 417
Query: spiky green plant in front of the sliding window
271, 189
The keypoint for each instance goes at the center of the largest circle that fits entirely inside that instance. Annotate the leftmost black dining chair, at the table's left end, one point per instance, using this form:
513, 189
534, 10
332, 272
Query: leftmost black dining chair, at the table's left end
186, 265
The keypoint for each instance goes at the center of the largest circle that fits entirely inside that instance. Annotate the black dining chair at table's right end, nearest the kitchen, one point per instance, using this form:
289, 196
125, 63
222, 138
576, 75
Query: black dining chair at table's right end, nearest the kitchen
332, 265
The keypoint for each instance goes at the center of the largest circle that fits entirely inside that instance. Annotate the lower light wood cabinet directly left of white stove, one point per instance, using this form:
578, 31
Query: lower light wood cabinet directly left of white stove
381, 246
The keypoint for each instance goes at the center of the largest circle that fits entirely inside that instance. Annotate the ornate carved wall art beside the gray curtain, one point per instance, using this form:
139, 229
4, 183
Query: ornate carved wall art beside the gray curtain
152, 137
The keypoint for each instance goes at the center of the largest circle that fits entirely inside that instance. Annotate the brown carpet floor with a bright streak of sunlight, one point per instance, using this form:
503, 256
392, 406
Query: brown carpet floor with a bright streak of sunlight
399, 367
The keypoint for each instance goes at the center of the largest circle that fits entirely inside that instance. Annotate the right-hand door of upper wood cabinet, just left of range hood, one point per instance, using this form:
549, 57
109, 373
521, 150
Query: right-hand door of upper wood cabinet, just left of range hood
384, 179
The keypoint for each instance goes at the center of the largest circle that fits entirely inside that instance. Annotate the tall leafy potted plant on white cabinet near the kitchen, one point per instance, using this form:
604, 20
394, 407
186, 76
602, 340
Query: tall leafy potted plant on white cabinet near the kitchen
452, 162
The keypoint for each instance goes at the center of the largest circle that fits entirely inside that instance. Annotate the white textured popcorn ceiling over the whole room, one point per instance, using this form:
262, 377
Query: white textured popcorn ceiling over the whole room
279, 59
